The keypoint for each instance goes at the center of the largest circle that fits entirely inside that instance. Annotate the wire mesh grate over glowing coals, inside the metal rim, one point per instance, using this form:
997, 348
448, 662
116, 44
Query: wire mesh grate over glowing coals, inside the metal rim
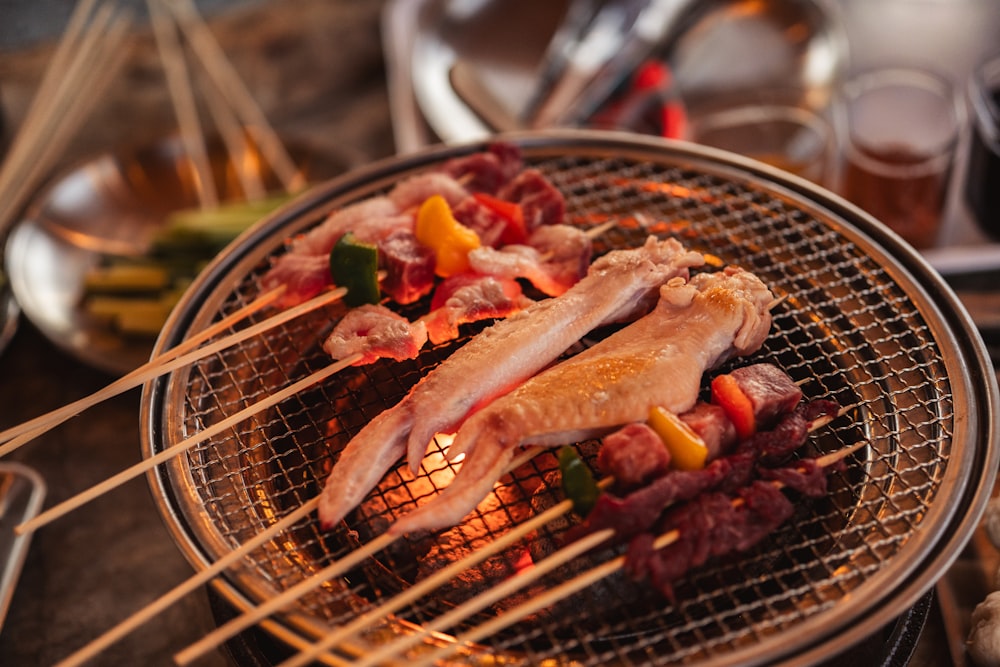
846, 328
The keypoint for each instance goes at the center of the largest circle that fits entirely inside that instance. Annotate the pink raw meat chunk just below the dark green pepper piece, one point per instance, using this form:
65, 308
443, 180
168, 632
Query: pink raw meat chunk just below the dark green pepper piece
375, 332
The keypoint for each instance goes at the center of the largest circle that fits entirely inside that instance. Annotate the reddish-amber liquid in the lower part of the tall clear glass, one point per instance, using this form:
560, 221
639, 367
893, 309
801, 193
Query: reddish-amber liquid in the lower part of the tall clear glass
911, 205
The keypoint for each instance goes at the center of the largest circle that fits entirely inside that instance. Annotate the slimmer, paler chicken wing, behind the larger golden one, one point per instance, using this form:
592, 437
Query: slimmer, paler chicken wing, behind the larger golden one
618, 287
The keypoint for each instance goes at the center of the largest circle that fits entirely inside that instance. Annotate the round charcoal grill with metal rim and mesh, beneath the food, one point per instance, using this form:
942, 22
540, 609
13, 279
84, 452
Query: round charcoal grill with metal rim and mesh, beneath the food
864, 321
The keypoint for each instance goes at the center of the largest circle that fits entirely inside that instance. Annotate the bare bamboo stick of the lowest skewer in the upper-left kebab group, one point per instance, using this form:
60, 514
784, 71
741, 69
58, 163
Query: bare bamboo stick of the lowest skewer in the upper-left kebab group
148, 464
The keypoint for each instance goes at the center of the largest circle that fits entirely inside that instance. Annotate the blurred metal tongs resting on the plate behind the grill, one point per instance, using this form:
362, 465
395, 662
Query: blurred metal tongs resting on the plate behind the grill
597, 45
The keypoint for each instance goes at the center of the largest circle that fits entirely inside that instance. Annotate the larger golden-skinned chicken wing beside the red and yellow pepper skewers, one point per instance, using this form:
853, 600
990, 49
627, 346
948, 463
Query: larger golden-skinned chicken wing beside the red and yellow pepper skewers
656, 361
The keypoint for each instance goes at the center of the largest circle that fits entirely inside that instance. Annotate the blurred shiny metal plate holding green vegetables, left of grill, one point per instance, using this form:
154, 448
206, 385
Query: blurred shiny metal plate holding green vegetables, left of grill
110, 205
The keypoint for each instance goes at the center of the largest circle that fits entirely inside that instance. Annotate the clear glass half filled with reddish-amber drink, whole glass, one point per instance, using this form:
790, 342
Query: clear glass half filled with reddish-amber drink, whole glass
901, 134
